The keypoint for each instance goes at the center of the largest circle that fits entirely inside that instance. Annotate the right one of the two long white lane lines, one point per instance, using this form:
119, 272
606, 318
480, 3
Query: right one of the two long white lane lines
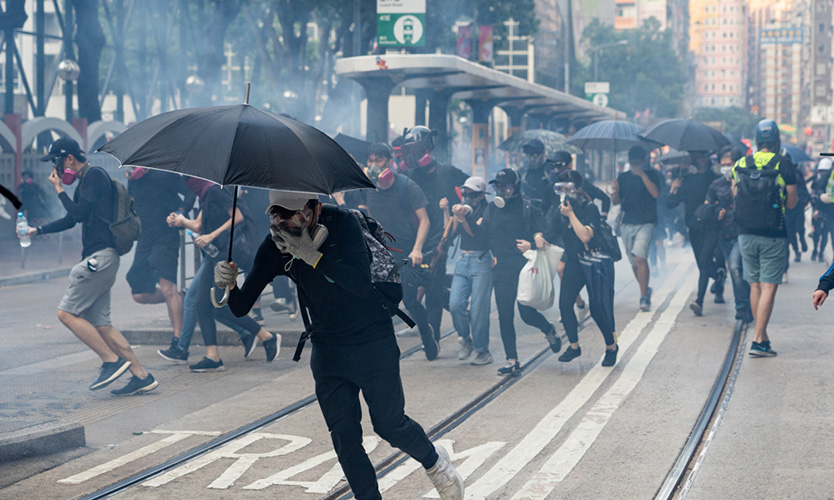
580, 441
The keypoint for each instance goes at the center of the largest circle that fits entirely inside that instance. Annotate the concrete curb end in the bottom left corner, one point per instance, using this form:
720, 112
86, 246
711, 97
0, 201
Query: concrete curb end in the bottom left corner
41, 439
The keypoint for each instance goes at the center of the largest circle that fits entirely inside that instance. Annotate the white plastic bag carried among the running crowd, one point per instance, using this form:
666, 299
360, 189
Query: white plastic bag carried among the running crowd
535, 282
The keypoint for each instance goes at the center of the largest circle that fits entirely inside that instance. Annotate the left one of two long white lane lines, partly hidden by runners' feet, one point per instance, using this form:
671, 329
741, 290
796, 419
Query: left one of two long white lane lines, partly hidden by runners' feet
543, 433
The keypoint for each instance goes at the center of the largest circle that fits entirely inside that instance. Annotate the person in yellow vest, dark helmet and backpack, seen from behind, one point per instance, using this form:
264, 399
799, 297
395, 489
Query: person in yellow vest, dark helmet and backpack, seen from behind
764, 185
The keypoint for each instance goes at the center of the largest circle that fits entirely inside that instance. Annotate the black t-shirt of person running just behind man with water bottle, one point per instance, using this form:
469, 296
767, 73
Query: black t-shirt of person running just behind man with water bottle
156, 195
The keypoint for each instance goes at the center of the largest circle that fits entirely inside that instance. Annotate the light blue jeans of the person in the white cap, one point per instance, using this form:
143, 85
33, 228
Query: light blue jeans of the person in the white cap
472, 278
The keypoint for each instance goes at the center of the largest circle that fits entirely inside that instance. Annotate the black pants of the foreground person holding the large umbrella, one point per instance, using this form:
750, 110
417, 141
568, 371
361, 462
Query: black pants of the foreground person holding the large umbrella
340, 373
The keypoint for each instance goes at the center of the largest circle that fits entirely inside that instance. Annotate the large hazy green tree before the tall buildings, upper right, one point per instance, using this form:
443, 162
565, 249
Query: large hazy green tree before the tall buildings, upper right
645, 73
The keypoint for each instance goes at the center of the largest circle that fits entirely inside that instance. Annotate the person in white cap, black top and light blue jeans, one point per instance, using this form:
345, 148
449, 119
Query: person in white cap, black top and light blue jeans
472, 283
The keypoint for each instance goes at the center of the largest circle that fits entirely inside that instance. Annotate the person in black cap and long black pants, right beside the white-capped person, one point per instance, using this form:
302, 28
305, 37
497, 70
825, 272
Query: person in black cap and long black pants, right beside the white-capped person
510, 225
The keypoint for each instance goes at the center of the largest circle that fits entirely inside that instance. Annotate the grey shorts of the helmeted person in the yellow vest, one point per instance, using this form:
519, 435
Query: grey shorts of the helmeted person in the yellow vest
764, 259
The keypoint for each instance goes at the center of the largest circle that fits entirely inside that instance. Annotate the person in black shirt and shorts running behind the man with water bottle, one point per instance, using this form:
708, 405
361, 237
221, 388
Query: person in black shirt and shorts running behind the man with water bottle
153, 275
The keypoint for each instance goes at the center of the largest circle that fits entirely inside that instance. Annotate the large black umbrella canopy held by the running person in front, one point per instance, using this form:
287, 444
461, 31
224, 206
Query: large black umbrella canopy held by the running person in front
240, 145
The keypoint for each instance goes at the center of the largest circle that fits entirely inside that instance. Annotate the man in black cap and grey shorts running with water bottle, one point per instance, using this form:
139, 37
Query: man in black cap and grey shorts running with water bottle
85, 308
